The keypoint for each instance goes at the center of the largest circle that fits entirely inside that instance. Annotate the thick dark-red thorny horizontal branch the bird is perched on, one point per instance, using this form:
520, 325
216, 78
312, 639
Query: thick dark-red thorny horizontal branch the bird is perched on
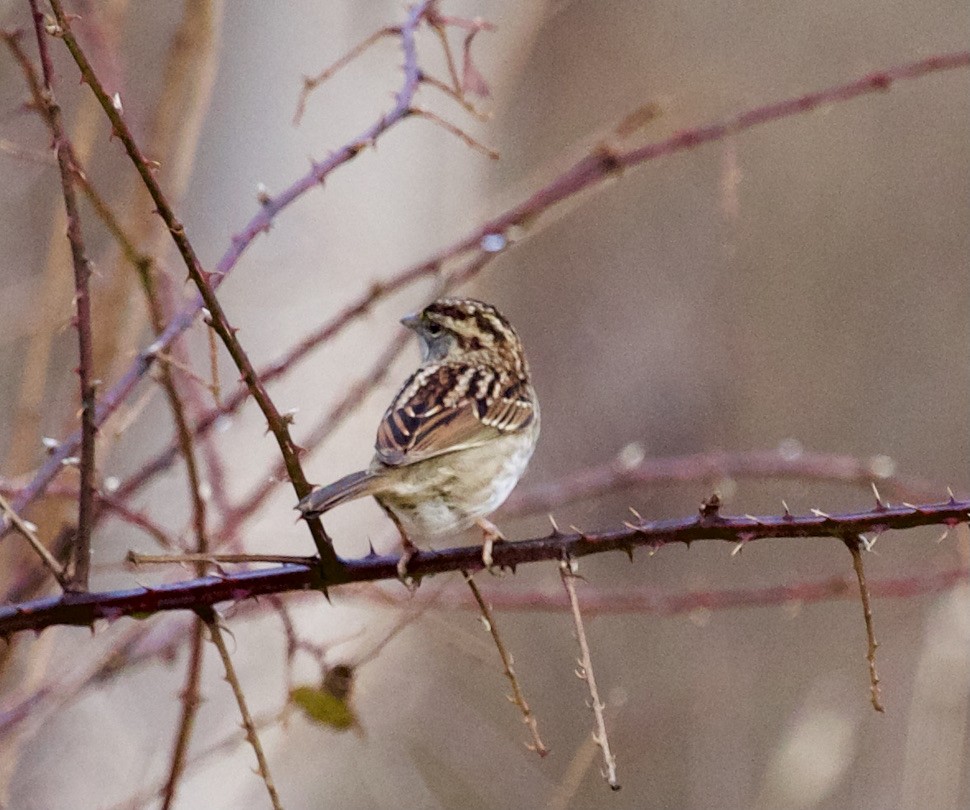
85, 609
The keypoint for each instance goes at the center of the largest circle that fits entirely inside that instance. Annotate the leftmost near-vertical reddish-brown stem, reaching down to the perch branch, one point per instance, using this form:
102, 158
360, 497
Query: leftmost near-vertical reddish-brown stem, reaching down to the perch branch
82, 317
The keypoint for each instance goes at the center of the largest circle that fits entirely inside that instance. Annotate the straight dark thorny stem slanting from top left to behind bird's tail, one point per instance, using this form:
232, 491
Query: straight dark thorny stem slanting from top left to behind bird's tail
202, 279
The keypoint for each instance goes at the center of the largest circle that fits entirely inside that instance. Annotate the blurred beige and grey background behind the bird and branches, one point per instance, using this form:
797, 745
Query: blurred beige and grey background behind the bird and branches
801, 285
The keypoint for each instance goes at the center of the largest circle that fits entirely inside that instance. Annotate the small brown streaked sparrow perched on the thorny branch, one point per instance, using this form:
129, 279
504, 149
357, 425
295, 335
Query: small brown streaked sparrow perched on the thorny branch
458, 435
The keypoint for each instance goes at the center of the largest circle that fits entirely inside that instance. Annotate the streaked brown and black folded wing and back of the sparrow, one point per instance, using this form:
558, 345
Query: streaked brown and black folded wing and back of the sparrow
444, 408
